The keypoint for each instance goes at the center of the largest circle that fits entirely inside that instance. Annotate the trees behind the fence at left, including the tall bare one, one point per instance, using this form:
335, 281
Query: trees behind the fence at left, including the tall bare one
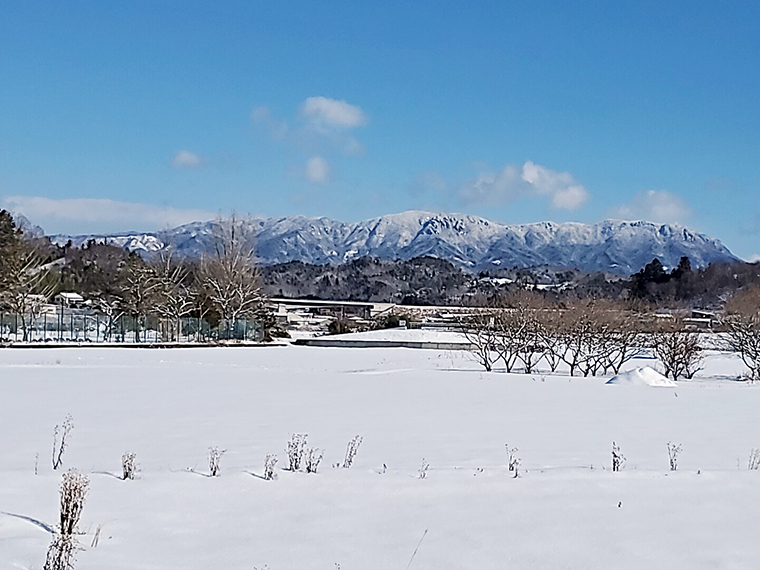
221, 288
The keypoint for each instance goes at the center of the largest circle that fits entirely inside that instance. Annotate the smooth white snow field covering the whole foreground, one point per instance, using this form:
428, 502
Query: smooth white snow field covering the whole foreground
567, 509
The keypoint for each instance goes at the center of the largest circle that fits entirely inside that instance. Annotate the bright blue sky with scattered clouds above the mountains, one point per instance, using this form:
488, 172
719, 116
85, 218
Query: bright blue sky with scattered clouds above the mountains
150, 114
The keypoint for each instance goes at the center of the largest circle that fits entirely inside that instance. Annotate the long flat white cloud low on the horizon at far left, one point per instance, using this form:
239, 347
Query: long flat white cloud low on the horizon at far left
90, 215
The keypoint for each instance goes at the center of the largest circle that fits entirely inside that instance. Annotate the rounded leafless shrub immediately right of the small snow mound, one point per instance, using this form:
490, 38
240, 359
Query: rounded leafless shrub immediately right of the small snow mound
677, 349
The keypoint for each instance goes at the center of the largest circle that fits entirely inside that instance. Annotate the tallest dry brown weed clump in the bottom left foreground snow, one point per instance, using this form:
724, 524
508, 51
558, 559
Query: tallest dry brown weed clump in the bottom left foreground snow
62, 551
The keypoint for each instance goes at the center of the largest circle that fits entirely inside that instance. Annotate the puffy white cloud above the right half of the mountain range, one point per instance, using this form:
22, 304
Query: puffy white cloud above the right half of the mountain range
514, 182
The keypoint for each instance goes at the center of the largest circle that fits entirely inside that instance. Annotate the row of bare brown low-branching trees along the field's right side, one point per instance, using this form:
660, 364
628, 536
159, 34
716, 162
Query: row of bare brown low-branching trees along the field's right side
597, 336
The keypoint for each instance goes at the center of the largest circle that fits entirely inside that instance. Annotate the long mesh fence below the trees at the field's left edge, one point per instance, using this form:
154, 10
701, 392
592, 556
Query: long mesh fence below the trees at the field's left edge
76, 325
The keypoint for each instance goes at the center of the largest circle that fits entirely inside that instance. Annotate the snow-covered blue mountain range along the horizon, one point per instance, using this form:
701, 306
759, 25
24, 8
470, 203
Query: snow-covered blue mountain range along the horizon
470, 242
